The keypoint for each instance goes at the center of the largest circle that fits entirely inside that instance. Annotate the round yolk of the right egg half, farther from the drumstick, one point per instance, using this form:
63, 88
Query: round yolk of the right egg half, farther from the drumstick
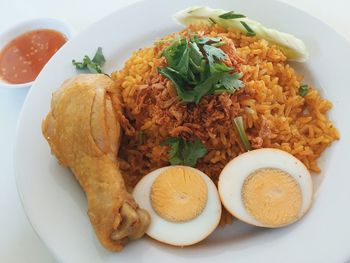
272, 196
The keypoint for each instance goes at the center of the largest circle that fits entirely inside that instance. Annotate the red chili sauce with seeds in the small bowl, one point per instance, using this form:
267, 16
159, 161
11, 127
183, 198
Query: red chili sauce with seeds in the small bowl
22, 59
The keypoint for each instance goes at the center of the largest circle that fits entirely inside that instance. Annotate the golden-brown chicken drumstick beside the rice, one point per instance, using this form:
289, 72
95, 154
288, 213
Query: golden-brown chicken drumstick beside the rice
84, 135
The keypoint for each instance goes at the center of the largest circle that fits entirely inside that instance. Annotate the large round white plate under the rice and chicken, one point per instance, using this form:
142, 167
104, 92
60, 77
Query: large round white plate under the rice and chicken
56, 205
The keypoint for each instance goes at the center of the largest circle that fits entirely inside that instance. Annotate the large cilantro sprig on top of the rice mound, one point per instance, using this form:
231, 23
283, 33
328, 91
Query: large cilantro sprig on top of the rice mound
195, 67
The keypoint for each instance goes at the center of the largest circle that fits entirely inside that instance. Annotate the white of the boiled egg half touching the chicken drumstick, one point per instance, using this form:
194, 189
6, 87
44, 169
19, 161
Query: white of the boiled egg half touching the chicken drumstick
184, 233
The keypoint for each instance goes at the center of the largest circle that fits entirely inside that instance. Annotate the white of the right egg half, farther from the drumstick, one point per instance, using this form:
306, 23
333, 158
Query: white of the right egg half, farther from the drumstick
232, 178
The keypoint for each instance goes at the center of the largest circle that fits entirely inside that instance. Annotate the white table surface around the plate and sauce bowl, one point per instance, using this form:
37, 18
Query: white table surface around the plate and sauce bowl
18, 241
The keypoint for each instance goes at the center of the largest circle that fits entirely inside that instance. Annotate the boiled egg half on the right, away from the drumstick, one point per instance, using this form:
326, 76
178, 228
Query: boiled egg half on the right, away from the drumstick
266, 187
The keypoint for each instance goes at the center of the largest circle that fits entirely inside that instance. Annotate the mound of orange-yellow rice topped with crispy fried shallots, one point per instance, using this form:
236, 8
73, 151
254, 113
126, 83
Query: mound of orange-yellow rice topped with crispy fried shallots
274, 113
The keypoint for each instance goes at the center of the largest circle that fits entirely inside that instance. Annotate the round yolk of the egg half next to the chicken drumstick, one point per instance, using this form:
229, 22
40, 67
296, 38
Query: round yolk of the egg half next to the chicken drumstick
179, 194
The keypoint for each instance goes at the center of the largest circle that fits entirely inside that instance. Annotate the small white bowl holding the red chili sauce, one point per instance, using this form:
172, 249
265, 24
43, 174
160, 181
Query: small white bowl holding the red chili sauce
28, 25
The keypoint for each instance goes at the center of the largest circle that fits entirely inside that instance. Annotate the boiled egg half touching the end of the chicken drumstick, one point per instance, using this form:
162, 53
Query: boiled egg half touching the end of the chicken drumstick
183, 203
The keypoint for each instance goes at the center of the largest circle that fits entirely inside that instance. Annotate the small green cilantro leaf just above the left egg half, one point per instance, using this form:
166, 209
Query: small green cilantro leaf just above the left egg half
184, 152
